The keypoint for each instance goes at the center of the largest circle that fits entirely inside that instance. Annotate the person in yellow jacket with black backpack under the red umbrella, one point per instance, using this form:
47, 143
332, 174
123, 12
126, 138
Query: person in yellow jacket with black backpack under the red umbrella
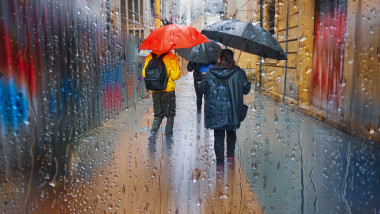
164, 100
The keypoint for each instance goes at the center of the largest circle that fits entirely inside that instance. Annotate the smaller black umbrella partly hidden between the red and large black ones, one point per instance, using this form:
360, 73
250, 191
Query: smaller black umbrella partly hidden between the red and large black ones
207, 52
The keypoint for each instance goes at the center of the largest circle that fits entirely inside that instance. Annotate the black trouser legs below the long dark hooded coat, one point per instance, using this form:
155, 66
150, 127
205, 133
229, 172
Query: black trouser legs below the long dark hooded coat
219, 135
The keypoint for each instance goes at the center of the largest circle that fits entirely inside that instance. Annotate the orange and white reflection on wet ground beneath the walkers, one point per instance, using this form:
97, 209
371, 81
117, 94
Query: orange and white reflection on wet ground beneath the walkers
116, 169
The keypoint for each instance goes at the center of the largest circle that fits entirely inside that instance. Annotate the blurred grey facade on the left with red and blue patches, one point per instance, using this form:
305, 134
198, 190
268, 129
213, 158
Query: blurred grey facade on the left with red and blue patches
66, 68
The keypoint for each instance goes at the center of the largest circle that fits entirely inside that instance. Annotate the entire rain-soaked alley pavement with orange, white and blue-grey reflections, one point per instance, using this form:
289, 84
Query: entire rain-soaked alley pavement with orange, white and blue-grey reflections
286, 162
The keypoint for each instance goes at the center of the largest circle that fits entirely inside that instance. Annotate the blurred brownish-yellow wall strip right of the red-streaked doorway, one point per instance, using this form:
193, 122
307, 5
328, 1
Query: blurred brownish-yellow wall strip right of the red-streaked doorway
361, 94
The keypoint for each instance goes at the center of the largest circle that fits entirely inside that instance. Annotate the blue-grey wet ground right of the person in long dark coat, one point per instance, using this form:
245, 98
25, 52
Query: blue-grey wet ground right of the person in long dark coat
297, 164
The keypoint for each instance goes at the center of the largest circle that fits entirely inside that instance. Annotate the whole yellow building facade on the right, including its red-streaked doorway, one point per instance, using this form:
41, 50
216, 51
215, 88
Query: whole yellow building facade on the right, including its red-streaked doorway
333, 65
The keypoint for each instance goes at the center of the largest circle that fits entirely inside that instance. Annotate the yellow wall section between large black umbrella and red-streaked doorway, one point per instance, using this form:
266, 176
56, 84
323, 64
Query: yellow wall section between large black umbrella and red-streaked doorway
300, 46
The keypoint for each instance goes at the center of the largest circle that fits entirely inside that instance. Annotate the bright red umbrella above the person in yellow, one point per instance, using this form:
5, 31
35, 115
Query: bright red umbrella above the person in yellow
173, 36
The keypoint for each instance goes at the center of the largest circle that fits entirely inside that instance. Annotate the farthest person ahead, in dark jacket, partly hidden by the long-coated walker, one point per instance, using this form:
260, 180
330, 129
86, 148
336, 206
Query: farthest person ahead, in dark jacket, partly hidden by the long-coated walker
199, 72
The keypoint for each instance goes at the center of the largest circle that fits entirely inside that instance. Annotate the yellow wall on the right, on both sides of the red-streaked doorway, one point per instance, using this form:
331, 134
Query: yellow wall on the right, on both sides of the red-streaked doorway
360, 105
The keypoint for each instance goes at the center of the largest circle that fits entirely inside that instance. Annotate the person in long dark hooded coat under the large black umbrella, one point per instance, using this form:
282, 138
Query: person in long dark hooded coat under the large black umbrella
224, 86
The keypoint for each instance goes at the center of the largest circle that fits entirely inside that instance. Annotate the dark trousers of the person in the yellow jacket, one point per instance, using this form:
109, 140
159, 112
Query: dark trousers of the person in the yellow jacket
164, 105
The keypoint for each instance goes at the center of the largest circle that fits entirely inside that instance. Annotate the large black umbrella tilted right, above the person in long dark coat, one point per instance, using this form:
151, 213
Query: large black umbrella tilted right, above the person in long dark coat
246, 37
